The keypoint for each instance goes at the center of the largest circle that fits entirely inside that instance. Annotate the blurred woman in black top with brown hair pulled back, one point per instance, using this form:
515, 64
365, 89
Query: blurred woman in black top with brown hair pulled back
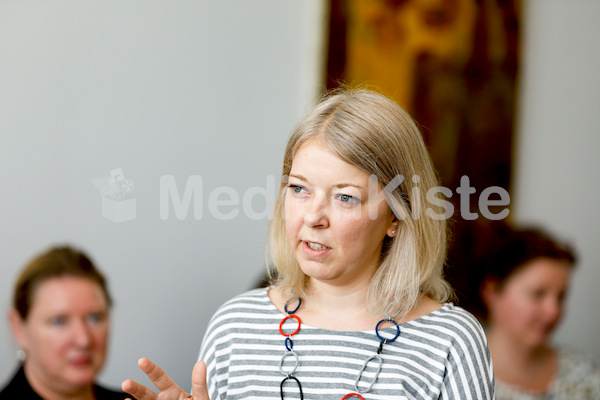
60, 320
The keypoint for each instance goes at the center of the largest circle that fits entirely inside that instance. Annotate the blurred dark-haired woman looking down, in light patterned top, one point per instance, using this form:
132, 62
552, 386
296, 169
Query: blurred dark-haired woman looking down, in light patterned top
523, 292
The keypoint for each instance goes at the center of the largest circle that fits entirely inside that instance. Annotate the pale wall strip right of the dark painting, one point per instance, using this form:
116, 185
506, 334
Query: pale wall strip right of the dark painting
558, 163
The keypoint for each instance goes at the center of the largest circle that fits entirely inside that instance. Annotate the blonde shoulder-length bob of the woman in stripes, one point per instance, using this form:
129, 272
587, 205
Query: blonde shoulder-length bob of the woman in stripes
373, 133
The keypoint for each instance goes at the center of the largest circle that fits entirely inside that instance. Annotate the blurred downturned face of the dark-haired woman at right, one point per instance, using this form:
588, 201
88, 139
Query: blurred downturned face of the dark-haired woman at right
529, 305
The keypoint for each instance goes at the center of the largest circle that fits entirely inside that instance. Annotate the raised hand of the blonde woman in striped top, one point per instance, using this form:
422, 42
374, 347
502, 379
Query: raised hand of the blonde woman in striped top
168, 390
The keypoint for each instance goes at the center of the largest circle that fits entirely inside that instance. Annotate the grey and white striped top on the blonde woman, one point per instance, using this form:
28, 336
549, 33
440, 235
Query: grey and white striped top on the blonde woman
442, 355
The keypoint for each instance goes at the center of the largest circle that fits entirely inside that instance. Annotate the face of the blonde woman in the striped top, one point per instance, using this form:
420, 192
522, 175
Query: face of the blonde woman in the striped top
334, 226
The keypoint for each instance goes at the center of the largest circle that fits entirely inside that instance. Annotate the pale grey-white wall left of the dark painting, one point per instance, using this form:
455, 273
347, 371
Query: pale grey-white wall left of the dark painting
208, 88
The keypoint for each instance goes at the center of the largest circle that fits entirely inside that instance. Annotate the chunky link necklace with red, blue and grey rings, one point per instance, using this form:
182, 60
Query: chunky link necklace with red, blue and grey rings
289, 352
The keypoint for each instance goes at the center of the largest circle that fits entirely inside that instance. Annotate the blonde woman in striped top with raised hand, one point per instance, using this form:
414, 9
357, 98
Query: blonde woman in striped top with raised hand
357, 307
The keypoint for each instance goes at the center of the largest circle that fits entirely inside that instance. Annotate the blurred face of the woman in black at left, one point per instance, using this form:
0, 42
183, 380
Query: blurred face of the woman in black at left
65, 334
